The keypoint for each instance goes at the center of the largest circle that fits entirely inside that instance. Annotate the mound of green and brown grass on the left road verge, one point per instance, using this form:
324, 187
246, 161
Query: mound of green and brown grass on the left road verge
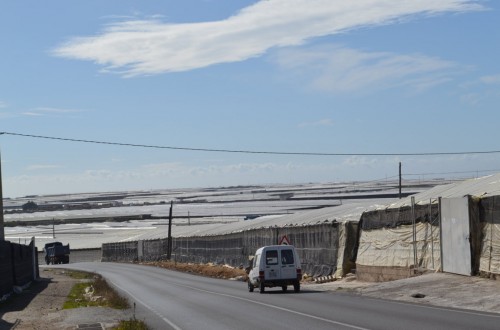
94, 293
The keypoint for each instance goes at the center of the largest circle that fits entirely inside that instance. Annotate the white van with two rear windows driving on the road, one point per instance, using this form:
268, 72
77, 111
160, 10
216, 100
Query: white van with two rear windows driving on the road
275, 265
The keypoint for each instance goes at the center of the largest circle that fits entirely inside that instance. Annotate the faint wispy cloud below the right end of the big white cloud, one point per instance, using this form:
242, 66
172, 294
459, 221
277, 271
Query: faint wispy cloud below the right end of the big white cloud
340, 69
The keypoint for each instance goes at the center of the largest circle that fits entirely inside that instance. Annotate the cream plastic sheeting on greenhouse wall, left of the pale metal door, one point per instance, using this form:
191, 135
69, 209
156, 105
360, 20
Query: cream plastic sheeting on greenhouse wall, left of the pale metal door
394, 247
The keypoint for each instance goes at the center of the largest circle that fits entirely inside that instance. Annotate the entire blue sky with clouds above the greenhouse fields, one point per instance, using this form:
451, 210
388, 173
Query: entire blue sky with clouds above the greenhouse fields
359, 78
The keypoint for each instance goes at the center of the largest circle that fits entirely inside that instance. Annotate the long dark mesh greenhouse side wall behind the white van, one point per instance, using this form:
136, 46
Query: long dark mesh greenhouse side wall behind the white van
318, 246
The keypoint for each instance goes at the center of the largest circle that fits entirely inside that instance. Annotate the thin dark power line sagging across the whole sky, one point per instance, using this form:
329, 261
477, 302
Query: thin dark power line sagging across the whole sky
251, 151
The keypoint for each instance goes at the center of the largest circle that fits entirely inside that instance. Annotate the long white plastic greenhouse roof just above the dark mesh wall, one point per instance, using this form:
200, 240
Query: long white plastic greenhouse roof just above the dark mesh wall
93, 235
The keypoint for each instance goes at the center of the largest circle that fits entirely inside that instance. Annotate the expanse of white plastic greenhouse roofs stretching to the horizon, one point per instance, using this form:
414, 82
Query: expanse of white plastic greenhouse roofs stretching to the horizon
210, 213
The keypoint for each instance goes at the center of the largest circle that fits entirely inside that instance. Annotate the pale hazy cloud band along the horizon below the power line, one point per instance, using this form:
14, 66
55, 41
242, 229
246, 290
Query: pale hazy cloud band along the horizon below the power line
179, 175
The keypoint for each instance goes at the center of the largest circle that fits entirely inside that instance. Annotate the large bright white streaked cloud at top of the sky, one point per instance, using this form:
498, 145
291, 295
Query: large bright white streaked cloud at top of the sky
143, 47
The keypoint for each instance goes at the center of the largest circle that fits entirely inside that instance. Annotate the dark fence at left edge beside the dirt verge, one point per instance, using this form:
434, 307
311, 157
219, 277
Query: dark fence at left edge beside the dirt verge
16, 266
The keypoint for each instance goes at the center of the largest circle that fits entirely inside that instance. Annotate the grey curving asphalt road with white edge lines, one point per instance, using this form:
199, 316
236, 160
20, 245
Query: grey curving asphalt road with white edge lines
172, 300
